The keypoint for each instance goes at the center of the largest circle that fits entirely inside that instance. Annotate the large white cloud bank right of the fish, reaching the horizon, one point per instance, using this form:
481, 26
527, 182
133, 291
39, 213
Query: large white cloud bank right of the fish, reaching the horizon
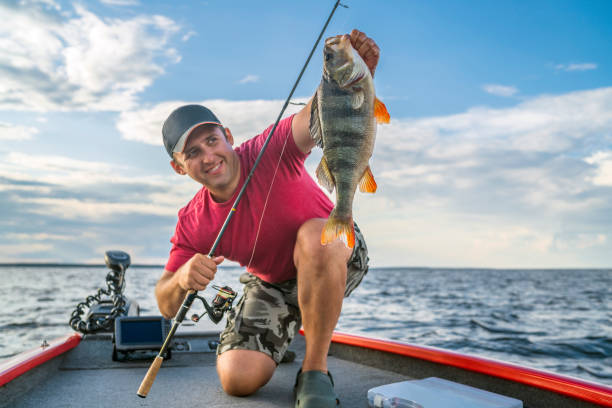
493, 187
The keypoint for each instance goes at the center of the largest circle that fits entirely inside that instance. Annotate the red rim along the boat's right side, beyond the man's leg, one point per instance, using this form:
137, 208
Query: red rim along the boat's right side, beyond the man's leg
572, 387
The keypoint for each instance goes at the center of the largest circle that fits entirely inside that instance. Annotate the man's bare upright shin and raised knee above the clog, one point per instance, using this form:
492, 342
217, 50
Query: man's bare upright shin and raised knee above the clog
321, 281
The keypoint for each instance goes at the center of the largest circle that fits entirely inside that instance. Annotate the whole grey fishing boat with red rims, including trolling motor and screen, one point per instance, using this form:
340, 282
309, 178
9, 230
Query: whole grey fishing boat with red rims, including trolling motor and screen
105, 368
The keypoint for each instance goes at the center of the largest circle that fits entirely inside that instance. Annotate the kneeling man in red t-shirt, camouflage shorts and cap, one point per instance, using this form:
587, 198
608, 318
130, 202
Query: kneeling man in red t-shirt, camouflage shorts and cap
275, 232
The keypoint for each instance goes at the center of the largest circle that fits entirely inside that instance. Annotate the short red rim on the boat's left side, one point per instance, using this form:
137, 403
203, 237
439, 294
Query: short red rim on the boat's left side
24, 362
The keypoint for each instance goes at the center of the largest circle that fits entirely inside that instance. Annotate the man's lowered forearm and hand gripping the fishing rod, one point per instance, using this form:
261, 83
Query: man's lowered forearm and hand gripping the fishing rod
172, 287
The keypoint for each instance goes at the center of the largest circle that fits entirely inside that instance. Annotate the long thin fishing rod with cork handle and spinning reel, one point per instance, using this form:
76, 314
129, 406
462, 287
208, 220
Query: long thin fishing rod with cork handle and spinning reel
216, 311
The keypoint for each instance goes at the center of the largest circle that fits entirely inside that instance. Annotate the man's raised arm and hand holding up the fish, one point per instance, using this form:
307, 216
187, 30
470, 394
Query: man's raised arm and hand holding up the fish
300, 127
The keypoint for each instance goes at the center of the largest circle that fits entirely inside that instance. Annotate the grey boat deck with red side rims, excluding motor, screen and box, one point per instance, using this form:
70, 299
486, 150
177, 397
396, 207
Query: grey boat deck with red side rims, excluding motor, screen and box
79, 372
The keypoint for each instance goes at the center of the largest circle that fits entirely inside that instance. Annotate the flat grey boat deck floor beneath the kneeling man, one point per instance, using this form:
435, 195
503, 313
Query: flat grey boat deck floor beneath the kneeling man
86, 376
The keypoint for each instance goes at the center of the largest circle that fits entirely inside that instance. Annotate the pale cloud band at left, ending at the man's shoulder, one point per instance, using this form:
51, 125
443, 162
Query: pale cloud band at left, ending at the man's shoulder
73, 189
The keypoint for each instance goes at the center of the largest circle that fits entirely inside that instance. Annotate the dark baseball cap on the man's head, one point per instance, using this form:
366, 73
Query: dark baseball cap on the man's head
181, 122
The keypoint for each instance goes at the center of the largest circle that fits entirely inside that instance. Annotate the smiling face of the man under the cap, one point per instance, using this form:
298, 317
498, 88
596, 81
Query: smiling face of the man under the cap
209, 159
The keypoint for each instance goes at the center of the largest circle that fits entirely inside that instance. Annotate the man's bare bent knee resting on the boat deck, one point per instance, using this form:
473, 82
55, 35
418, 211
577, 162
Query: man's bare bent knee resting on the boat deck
243, 372
